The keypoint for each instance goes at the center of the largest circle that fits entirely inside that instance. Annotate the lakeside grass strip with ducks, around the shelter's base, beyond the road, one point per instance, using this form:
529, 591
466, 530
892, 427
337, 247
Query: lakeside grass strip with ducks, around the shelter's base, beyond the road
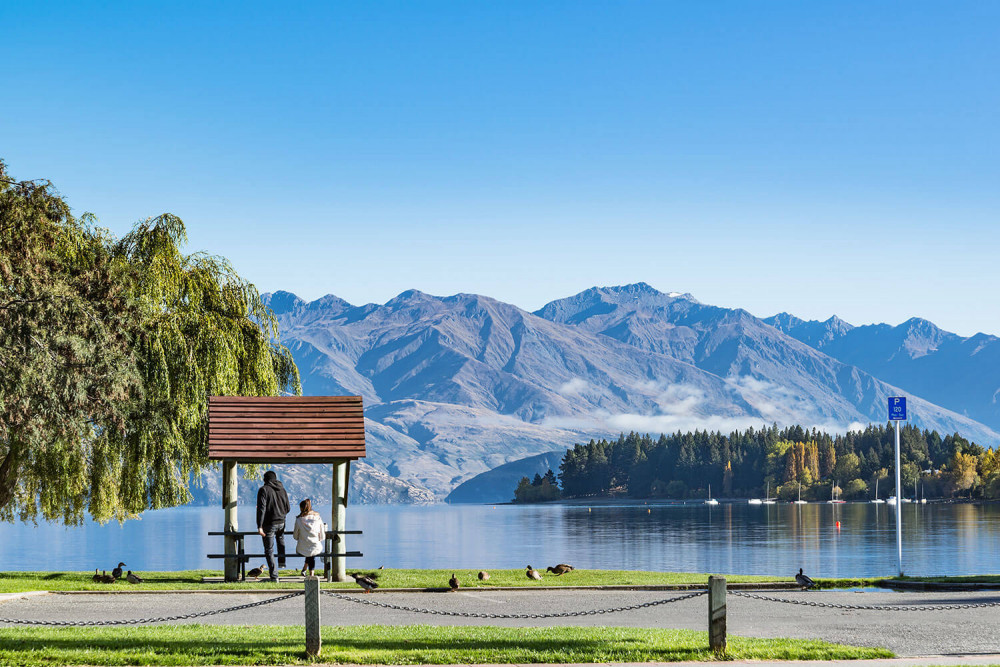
17, 582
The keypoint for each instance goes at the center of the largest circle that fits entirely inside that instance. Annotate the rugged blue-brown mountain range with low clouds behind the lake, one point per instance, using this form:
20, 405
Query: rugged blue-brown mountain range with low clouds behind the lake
456, 386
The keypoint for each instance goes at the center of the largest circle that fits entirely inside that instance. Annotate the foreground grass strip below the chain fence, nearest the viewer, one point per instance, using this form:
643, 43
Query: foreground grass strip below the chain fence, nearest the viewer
412, 644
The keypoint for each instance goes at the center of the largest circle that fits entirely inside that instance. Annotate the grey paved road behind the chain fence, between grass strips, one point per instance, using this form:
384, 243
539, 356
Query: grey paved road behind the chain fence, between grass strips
911, 633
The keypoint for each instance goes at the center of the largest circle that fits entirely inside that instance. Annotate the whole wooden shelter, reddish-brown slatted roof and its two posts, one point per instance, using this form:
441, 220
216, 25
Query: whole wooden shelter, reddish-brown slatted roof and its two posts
286, 429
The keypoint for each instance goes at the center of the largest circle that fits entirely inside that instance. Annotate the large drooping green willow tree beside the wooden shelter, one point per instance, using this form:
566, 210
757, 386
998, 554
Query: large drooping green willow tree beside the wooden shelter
109, 349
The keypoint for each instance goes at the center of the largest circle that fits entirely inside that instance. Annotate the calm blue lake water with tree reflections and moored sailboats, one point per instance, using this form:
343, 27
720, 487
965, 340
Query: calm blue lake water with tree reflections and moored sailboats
737, 538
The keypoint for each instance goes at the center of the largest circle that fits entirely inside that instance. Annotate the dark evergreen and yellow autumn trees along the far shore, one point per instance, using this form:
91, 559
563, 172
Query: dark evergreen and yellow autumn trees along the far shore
782, 463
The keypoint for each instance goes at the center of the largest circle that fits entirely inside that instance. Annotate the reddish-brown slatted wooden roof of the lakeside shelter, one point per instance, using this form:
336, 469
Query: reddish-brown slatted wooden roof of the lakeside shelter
285, 429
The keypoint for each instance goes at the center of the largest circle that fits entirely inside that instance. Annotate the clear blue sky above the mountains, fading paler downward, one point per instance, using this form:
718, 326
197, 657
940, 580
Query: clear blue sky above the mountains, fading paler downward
811, 157
